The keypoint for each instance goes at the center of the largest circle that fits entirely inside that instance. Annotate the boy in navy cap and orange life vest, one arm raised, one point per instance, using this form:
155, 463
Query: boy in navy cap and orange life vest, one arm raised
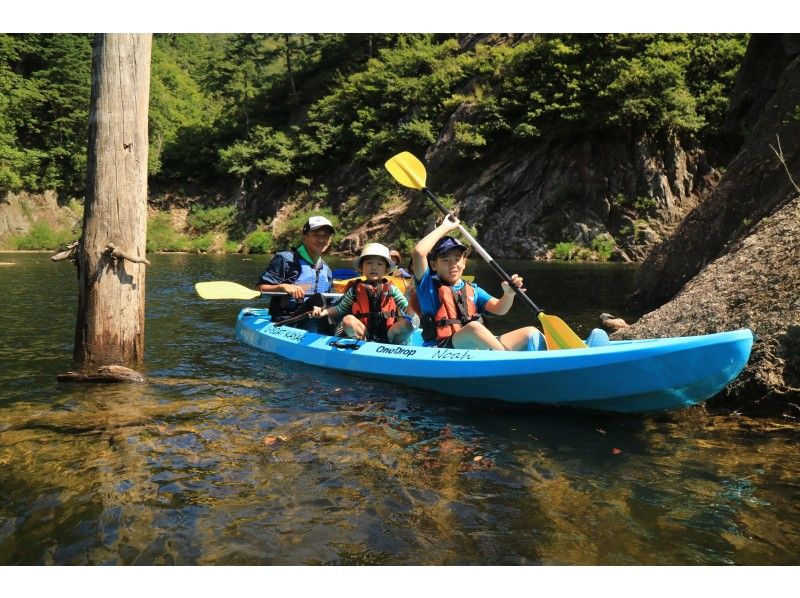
450, 308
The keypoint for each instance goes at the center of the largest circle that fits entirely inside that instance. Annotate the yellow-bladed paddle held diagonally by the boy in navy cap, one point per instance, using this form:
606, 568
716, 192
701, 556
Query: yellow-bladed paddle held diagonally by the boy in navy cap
409, 172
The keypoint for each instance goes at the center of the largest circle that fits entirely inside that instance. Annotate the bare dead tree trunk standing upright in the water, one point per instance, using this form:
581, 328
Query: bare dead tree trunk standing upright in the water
109, 333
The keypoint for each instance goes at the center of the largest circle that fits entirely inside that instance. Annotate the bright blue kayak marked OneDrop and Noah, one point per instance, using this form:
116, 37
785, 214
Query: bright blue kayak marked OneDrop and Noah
635, 376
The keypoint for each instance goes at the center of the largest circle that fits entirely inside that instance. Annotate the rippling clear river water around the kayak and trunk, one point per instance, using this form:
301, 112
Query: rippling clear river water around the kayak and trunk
232, 456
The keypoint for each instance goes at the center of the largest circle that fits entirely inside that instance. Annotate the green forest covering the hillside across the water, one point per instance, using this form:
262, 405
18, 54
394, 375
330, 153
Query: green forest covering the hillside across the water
285, 115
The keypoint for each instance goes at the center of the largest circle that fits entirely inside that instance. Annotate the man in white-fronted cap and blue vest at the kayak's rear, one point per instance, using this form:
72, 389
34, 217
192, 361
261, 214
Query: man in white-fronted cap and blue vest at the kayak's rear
300, 272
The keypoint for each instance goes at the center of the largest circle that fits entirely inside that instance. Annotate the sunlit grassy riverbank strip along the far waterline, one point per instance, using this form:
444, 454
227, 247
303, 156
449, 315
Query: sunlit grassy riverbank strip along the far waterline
200, 224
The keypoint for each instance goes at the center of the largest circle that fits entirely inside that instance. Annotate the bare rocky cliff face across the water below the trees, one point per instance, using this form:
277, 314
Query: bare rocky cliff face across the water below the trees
539, 192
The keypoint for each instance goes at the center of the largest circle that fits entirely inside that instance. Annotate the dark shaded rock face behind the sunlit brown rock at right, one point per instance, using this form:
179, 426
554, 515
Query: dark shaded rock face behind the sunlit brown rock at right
754, 185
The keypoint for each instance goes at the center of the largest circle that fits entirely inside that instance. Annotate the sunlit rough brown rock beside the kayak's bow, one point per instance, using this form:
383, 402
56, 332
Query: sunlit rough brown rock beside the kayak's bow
755, 285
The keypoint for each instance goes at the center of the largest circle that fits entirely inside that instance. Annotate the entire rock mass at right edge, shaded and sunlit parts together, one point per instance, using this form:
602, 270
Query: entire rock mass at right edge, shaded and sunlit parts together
735, 260
